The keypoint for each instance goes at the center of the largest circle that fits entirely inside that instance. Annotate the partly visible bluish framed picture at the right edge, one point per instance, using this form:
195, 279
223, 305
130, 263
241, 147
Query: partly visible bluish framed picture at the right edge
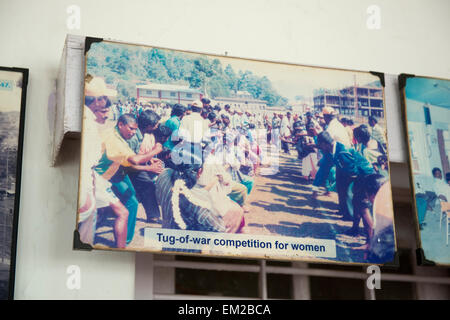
426, 103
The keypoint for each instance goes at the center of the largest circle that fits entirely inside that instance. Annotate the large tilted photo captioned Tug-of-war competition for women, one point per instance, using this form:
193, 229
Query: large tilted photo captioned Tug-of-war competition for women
193, 153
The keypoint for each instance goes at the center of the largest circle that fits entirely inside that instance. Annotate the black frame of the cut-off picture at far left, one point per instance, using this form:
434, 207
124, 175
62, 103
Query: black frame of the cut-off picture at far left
20, 133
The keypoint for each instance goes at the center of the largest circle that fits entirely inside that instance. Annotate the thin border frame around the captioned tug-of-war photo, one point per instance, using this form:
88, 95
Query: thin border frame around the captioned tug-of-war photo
78, 244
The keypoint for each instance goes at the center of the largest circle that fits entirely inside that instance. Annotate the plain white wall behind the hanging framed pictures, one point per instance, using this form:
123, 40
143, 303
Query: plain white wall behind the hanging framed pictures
412, 38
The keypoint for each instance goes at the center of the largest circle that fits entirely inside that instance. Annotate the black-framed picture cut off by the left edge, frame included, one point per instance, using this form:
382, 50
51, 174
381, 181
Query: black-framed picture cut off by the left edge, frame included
13, 88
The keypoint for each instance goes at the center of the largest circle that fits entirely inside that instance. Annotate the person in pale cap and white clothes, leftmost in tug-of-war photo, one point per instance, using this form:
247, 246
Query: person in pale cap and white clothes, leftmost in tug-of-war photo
95, 191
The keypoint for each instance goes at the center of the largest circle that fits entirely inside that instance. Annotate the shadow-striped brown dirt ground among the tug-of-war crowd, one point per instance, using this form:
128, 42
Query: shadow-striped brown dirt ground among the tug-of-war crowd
280, 205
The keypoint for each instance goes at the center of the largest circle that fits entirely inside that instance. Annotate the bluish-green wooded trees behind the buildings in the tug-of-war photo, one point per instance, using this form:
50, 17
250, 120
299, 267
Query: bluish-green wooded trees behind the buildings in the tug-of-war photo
123, 67
